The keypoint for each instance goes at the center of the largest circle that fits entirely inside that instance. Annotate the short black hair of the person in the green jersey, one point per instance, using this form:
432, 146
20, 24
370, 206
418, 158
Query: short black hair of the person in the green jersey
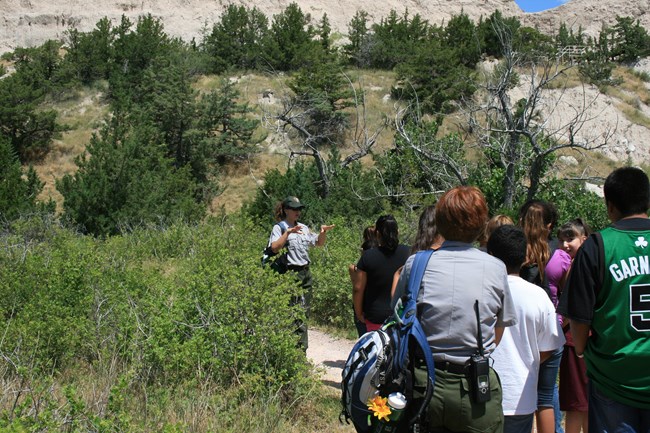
627, 188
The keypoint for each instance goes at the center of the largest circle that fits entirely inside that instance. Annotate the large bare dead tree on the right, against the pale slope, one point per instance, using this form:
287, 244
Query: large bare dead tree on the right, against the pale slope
524, 112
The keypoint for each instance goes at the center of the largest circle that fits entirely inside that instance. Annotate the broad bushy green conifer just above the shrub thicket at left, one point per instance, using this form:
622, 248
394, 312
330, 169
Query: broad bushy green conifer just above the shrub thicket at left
125, 179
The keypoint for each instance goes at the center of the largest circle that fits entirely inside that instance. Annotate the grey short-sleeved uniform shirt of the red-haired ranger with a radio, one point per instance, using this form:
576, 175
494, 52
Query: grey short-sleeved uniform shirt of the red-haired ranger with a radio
456, 276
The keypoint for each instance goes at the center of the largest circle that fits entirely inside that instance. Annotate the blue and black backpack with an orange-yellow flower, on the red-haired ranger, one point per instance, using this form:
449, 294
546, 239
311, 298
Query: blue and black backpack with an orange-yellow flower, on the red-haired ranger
383, 361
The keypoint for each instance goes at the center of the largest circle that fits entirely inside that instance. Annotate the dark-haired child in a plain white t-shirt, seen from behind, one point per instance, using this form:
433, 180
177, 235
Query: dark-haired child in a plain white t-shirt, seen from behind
524, 346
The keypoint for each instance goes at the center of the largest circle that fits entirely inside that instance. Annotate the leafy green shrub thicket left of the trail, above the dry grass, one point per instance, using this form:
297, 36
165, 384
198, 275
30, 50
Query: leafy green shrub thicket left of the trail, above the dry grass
204, 307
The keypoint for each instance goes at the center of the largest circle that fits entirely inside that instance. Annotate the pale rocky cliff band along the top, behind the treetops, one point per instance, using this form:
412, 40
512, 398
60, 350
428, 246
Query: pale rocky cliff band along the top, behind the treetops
31, 22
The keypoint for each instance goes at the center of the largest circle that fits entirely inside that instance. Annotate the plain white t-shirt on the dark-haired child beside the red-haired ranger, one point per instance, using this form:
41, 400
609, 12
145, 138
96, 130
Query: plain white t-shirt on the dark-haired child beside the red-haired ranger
516, 358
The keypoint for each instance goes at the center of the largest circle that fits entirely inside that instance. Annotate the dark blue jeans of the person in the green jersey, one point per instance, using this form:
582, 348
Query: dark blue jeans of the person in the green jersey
609, 416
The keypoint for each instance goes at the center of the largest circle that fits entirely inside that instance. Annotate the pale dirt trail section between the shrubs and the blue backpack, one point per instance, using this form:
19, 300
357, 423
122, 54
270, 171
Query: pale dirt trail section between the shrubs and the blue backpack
328, 355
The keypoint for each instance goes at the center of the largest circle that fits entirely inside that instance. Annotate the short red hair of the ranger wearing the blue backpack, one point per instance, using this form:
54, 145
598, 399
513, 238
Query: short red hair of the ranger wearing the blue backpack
461, 213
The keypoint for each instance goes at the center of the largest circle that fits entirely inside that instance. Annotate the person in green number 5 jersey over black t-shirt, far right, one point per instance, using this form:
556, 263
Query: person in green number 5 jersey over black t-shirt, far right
607, 293
